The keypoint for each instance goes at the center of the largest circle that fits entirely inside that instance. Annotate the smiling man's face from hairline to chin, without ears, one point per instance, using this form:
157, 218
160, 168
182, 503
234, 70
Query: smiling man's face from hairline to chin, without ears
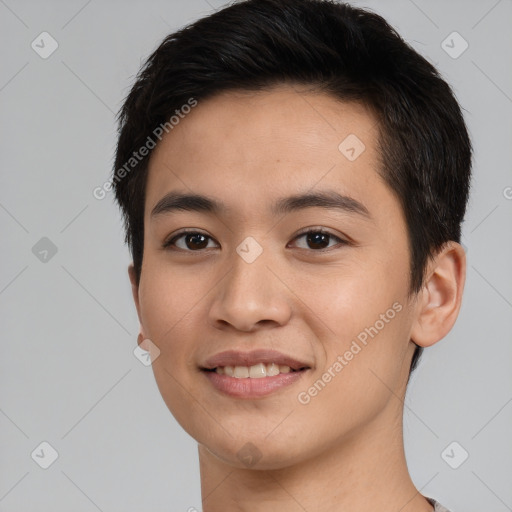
321, 281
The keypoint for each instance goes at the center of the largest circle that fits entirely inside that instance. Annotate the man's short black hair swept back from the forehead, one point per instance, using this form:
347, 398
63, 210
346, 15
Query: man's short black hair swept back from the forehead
352, 54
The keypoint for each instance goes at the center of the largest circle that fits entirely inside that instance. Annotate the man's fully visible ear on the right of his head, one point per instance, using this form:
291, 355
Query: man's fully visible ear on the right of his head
440, 299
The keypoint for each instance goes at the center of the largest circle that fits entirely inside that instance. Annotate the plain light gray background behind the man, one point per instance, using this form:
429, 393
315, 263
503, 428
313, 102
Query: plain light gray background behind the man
68, 373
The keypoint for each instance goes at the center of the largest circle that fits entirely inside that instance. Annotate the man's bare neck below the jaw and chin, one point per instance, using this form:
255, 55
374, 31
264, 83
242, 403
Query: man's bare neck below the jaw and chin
366, 471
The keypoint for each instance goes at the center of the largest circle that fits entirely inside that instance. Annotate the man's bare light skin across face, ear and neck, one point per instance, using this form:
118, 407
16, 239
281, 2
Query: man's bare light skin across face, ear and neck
344, 449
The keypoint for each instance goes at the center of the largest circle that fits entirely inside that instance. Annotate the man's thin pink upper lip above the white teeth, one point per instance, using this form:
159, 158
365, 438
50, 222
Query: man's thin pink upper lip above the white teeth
238, 358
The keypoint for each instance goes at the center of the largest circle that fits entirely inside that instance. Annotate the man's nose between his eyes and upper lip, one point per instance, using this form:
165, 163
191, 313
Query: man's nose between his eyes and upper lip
250, 296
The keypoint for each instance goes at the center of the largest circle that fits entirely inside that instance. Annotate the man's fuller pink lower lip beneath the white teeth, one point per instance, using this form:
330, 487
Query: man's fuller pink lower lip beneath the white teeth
252, 388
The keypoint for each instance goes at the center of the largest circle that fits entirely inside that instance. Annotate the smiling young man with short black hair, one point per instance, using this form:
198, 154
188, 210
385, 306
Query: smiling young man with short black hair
293, 177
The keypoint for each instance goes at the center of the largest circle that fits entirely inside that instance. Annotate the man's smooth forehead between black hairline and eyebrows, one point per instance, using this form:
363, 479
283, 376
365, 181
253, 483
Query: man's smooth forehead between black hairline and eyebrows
252, 147
